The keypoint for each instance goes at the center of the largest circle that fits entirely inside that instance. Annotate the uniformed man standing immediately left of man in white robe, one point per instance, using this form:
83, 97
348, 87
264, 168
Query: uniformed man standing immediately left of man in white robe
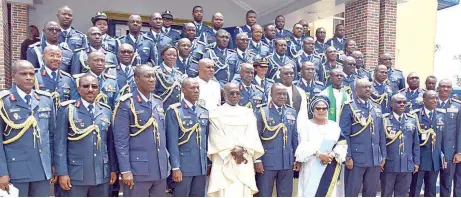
187, 126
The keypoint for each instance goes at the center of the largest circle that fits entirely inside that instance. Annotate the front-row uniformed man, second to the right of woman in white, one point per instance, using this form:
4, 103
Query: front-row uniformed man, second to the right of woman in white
402, 141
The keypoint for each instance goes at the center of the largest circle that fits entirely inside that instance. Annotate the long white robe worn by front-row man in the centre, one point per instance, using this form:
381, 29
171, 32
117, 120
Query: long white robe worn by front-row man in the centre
232, 126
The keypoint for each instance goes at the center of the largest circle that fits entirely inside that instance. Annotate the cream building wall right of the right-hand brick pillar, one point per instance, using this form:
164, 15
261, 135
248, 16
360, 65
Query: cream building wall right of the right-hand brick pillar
416, 24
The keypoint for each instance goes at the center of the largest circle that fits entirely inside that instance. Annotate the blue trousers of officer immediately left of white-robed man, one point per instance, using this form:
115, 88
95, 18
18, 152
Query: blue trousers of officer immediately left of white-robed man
190, 186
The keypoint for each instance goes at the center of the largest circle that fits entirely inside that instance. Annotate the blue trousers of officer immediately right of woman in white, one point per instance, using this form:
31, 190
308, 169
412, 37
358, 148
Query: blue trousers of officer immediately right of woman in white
355, 177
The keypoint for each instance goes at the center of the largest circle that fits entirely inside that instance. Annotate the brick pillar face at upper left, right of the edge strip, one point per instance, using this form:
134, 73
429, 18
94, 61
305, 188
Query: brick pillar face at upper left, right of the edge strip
19, 23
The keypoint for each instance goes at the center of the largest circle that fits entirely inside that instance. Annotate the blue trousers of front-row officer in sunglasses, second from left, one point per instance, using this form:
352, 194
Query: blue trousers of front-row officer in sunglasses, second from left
101, 190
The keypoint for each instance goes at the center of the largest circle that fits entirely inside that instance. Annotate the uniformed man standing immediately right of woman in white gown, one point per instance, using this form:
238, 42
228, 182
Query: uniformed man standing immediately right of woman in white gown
362, 124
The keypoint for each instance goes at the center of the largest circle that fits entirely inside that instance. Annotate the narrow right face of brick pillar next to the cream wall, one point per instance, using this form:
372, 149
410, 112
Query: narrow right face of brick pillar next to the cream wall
387, 26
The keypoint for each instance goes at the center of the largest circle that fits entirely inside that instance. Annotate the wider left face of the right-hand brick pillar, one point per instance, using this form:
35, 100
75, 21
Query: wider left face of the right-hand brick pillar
362, 25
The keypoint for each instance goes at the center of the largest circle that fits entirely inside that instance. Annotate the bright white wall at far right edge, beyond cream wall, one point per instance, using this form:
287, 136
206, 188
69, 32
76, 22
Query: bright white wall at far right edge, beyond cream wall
447, 58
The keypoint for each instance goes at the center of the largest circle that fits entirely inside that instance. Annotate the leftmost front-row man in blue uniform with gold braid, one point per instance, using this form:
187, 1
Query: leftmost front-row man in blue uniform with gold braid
26, 157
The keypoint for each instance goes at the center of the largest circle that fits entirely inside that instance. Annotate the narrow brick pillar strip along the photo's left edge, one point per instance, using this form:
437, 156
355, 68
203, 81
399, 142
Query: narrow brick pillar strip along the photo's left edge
5, 59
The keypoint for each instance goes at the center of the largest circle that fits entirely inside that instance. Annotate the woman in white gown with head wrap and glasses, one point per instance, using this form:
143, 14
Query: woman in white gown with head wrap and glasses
321, 151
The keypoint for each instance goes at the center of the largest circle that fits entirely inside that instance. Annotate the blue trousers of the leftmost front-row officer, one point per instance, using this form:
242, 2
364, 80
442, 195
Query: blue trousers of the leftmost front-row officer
33, 189
